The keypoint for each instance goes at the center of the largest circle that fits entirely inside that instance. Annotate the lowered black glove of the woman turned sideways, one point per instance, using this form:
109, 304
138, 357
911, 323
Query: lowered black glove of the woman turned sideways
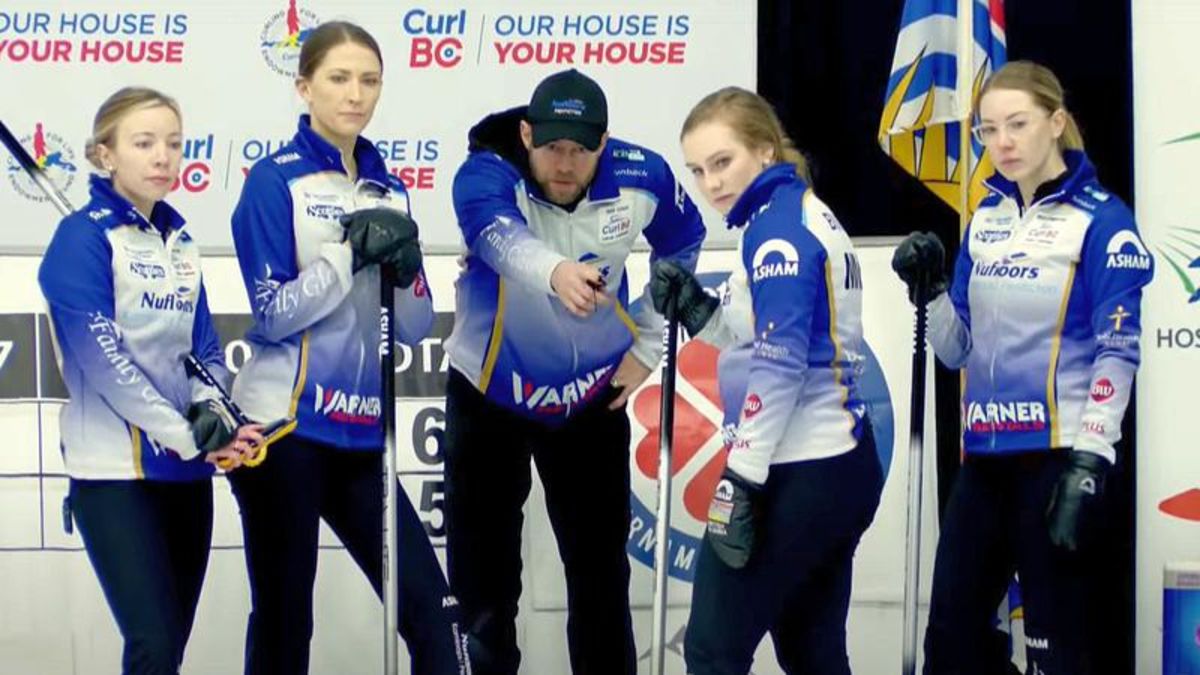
733, 519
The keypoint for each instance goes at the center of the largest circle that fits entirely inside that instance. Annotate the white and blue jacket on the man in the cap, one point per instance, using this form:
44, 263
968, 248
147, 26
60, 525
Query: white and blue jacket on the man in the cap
512, 337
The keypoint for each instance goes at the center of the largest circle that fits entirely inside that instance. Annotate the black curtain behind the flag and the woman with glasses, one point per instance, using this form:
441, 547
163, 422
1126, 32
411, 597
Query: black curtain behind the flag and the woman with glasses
825, 65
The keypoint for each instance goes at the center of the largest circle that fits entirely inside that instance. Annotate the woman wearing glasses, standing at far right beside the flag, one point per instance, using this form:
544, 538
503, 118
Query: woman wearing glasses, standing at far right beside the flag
1045, 315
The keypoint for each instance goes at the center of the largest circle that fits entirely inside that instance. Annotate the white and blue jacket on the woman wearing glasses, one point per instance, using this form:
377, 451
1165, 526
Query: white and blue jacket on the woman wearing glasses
1045, 313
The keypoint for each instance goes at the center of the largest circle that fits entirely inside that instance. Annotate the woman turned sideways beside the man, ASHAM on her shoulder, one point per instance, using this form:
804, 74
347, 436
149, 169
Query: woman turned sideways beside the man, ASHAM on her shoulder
803, 480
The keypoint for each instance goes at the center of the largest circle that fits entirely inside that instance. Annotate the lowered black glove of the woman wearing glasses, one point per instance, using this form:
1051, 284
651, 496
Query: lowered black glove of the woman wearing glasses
1076, 499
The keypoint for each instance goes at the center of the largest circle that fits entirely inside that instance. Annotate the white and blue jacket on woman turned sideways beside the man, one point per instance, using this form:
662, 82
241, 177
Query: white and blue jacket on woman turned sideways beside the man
791, 331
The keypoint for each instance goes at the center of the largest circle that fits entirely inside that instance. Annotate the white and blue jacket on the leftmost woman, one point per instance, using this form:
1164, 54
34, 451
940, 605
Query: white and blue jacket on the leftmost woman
128, 304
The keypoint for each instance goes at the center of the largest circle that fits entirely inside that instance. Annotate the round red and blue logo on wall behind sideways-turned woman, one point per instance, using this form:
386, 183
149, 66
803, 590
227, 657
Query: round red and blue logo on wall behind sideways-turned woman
699, 449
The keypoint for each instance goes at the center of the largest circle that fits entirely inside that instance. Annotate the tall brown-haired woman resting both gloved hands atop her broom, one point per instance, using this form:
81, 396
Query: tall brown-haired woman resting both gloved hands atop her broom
315, 224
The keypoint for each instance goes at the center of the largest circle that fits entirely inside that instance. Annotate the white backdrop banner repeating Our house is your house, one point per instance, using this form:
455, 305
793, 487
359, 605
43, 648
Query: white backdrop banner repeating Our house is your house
447, 65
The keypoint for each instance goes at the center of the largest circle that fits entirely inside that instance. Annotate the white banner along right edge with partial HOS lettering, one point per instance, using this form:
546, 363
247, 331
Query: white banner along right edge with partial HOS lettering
1167, 95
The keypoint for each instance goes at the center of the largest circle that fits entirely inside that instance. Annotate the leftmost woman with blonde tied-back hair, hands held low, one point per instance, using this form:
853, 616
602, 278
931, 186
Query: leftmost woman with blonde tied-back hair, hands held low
141, 439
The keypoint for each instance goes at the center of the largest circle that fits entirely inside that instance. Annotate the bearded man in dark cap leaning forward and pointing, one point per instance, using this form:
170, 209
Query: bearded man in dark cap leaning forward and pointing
544, 355
